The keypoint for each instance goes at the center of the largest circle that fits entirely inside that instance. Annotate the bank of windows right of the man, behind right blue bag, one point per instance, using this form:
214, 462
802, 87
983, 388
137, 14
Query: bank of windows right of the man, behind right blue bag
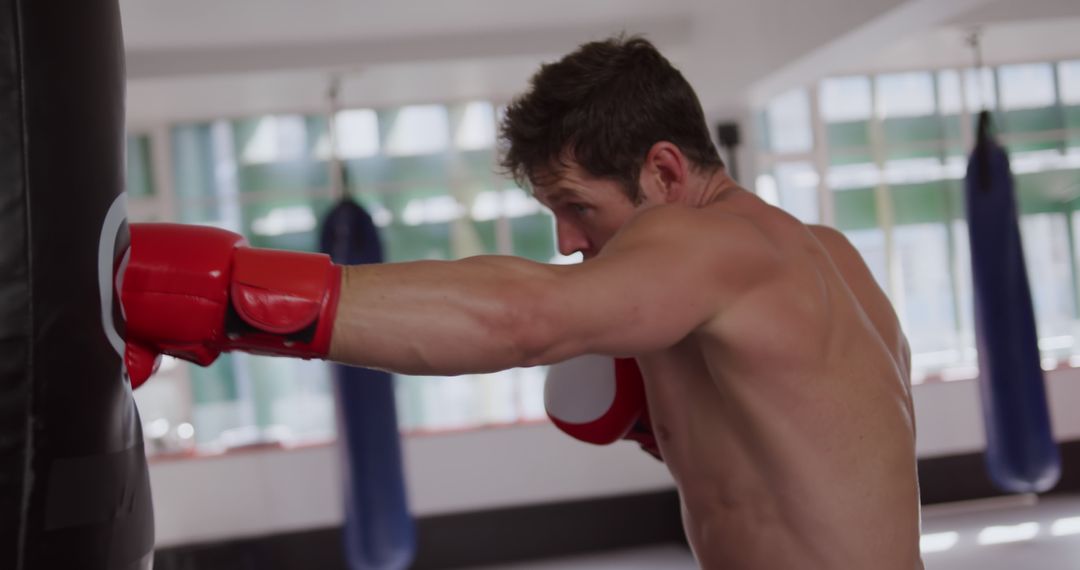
894, 150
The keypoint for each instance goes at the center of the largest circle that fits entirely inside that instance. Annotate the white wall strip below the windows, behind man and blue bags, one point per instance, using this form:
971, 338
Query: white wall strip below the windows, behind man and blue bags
260, 493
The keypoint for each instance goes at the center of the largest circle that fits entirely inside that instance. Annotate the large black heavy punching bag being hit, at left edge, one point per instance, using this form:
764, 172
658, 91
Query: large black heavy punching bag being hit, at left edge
74, 484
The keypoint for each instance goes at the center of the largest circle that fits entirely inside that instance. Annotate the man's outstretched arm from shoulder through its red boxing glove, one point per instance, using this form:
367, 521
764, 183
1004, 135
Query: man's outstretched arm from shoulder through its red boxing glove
196, 292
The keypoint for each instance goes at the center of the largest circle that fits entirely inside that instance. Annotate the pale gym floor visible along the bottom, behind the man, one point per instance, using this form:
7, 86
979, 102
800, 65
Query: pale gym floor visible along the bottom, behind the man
1008, 534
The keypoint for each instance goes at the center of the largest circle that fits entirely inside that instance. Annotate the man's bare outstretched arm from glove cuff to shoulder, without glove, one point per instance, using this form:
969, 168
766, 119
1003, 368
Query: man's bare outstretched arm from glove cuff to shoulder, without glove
653, 286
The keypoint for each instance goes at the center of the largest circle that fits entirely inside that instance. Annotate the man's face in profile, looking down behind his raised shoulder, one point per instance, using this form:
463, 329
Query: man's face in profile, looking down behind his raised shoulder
588, 211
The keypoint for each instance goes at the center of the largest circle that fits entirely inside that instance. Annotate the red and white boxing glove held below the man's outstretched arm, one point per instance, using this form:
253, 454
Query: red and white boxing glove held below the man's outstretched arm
600, 400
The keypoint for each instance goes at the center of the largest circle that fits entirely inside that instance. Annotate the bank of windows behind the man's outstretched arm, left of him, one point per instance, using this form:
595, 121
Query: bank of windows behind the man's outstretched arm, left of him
426, 173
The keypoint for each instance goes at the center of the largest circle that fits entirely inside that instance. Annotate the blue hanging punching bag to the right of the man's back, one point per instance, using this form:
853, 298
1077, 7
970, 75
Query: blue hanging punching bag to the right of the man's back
1021, 453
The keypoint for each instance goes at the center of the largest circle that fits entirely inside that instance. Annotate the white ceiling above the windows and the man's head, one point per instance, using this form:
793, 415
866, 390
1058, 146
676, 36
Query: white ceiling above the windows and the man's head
205, 59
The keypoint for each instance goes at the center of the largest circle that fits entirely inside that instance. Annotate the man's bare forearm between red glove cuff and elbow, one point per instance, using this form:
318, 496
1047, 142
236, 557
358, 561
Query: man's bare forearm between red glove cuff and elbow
444, 318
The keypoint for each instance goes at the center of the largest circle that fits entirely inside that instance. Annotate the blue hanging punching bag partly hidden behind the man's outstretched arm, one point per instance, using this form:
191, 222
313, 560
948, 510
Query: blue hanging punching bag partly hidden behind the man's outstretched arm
379, 531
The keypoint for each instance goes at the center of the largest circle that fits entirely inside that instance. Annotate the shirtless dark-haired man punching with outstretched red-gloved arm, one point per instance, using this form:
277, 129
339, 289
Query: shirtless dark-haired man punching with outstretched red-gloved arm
776, 372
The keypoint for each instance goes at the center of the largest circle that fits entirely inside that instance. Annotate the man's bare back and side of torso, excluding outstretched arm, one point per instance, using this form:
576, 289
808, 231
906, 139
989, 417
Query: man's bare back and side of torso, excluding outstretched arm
787, 422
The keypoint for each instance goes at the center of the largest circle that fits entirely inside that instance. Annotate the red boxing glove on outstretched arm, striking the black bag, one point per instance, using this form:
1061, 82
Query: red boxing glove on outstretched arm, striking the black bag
195, 292
